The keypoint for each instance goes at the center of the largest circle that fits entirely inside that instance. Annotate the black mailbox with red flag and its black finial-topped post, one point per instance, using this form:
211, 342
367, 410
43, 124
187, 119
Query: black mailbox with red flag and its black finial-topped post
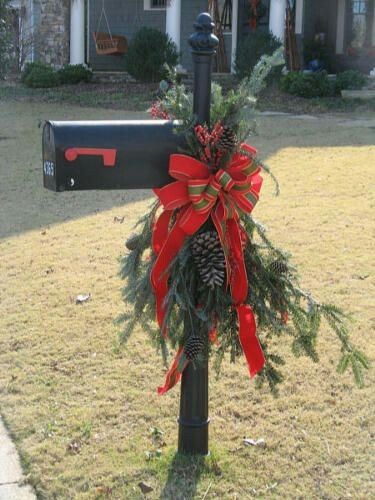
85, 155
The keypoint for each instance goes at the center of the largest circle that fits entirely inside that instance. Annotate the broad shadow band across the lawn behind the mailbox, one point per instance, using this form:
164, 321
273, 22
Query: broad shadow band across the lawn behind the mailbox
26, 205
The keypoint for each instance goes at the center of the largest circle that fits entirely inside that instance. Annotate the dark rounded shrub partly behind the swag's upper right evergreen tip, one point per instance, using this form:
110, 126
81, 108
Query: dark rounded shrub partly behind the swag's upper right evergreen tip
251, 48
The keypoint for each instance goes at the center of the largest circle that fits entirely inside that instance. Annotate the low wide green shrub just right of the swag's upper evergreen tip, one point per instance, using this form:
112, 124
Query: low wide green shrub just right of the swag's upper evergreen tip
307, 84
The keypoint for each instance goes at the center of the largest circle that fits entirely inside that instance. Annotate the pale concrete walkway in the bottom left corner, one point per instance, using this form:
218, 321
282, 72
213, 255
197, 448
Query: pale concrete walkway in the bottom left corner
12, 485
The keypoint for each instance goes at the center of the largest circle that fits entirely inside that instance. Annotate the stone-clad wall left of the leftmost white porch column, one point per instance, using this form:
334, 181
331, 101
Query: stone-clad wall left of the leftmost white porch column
52, 22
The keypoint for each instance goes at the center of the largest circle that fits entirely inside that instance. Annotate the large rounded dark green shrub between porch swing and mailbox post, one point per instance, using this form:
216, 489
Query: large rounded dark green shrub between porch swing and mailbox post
148, 52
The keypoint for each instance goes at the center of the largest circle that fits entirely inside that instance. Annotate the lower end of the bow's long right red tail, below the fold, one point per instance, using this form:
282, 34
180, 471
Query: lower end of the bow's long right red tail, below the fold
249, 340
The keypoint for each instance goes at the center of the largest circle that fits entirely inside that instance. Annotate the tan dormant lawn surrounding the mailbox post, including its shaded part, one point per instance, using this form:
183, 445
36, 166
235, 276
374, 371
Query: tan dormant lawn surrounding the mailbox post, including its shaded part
83, 412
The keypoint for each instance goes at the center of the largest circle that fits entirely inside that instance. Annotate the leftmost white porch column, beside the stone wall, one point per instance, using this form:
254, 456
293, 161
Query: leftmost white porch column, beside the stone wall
77, 31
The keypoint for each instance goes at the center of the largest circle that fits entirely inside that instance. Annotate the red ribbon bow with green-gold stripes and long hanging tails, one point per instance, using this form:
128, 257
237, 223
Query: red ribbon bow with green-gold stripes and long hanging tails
199, 194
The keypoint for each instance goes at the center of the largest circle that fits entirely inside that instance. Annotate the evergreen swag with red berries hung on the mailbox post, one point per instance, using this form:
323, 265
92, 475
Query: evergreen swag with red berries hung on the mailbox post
199, 317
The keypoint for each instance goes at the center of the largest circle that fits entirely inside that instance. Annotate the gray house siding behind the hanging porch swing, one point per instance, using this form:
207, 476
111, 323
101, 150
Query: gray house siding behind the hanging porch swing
125, 18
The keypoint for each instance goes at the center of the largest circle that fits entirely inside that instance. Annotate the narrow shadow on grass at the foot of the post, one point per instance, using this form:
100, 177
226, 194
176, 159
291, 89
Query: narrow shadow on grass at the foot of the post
183, 476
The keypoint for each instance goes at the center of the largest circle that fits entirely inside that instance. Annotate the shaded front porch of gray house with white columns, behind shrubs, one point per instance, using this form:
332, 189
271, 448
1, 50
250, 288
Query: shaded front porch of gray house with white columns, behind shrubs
233, 19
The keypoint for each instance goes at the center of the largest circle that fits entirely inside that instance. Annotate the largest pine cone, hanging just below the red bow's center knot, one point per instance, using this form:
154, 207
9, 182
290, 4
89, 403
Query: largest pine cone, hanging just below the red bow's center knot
209, 258
